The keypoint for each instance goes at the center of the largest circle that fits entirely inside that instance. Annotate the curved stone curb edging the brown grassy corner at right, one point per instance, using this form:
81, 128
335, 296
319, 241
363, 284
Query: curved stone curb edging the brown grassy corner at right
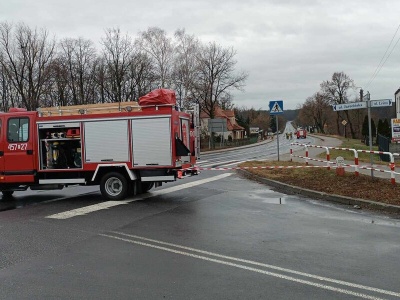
290, 189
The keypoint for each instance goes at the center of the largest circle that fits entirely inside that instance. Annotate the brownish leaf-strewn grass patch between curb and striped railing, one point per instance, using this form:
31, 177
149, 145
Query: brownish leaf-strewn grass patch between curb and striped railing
323, 180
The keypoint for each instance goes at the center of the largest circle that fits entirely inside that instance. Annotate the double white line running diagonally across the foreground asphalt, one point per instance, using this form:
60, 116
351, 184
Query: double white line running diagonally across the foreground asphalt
277, 275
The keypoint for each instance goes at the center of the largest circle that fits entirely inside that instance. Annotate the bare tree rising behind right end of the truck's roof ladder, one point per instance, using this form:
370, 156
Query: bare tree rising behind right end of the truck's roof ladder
117, 53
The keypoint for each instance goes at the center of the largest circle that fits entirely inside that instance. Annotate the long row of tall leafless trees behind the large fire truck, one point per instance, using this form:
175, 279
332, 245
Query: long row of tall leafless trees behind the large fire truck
36, 70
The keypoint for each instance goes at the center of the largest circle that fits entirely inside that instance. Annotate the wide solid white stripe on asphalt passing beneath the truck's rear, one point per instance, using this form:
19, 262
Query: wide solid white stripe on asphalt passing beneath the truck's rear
105, 205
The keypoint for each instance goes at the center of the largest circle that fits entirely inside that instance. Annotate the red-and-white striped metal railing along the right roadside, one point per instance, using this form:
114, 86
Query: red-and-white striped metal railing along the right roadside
356, 165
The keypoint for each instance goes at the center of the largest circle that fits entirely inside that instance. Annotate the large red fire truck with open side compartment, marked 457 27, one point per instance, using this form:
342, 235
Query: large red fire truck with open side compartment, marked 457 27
126, 148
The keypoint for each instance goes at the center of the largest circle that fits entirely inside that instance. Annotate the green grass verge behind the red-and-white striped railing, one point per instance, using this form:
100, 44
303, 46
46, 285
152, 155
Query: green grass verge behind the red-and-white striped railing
349, 155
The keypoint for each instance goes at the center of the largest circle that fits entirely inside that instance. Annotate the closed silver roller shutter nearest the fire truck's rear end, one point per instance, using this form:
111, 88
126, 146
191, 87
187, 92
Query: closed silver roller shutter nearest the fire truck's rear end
151, 142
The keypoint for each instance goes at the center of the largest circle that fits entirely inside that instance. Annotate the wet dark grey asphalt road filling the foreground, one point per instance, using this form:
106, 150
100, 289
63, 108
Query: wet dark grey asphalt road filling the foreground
211, 236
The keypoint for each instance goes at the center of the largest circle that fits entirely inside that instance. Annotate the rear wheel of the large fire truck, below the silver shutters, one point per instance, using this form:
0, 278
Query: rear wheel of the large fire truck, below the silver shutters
114, 186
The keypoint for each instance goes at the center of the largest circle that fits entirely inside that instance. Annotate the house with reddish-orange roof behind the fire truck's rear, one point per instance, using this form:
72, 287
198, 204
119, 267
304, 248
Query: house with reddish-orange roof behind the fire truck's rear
233, 129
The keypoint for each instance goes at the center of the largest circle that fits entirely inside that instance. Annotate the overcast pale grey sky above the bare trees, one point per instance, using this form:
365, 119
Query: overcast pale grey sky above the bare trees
288, 47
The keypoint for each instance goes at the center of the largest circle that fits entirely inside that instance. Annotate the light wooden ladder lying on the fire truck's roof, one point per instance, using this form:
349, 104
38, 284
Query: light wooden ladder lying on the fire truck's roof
97, 108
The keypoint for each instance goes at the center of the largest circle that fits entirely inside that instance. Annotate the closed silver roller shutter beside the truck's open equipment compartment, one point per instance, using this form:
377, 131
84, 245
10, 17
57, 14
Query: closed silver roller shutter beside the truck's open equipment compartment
106, 141
